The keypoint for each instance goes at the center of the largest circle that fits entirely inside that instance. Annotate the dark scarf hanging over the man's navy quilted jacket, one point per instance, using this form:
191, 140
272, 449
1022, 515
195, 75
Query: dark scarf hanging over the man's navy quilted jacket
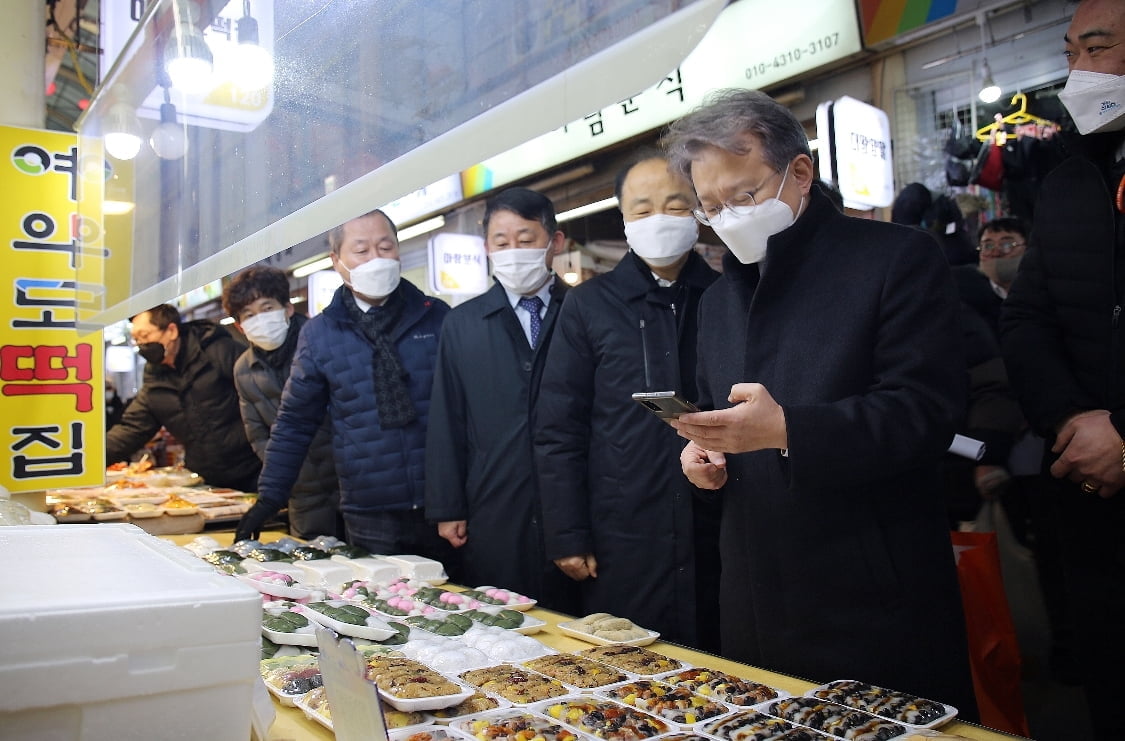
392, 394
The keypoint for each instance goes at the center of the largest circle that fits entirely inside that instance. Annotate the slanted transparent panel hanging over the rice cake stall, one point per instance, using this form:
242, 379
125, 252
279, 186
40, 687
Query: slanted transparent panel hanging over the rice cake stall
370, 102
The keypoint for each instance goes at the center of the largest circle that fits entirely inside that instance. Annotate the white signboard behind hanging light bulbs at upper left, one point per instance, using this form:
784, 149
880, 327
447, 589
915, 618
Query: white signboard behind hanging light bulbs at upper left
223, 105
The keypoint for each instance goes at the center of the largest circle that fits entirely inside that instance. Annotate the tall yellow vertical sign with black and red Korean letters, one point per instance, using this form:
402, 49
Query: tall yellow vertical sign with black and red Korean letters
52, 426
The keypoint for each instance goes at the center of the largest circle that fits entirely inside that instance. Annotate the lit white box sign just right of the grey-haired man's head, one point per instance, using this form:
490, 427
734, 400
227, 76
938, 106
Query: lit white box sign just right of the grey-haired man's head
858, 157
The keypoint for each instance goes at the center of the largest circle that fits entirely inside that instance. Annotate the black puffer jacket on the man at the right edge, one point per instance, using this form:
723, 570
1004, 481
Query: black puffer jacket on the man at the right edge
1061, 331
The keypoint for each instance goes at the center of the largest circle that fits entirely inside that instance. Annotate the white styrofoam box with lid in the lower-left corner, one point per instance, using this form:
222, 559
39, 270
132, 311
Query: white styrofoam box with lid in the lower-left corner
107, 632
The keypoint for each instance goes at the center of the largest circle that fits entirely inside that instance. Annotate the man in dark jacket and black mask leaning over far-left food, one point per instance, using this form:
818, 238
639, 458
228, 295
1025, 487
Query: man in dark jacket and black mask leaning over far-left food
190, 390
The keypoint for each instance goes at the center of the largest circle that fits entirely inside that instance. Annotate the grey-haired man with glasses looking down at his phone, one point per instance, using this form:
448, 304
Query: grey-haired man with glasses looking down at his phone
831, 353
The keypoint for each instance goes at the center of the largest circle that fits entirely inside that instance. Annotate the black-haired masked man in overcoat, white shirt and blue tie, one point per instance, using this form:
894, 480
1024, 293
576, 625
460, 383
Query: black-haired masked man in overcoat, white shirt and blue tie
480, 481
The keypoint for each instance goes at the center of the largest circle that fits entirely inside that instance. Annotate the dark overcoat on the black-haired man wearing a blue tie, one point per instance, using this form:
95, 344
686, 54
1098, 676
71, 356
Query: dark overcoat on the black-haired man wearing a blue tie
479, 445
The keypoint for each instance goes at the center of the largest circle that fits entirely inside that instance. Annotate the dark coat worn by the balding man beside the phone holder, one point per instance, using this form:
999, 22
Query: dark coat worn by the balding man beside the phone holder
609, 471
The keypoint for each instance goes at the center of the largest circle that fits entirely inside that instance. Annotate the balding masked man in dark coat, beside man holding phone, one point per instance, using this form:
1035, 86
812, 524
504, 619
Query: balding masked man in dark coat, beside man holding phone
618, 514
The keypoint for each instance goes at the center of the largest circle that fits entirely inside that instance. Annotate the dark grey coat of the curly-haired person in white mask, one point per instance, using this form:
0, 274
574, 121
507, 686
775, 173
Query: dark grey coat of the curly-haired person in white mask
316, 499
